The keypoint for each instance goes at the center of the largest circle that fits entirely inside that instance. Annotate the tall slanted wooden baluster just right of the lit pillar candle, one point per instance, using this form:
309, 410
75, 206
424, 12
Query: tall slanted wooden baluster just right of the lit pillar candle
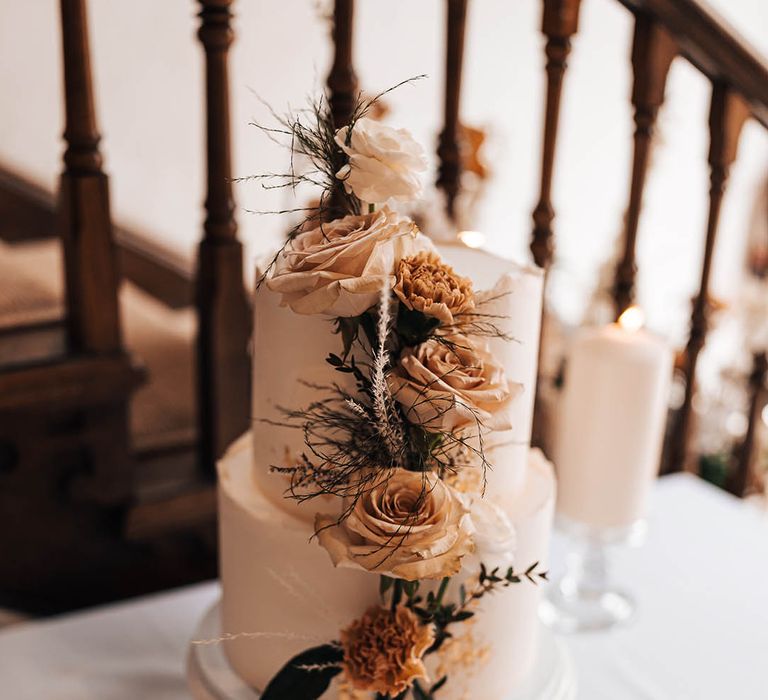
727, 115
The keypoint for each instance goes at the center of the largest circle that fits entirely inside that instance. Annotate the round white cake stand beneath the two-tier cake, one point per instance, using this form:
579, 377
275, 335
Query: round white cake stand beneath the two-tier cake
210, 676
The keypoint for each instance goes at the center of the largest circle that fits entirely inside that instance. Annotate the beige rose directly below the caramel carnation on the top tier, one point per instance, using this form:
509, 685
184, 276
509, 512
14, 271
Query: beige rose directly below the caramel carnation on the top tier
451, 384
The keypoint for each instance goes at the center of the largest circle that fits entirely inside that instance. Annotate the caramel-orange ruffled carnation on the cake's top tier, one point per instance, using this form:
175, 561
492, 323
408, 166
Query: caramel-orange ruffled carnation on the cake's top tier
423, 282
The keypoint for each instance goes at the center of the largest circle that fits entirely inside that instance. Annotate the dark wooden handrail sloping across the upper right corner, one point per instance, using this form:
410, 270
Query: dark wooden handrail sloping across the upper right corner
714, 47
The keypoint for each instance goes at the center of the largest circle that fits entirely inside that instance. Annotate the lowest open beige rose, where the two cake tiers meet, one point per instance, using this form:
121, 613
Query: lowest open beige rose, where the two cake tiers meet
409, 525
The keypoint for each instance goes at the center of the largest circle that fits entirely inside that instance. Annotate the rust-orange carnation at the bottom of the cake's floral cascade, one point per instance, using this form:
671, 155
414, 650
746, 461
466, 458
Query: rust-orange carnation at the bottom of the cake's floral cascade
383, 650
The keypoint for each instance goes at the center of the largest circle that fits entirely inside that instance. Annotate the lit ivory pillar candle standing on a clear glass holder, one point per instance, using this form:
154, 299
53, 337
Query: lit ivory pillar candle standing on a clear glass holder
614, 408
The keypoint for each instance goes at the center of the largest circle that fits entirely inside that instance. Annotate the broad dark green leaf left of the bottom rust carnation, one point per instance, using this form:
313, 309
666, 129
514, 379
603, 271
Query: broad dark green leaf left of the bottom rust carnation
297, 683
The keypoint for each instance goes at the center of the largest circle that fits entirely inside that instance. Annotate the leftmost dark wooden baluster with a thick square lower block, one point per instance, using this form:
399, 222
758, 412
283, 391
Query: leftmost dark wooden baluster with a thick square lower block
93, 316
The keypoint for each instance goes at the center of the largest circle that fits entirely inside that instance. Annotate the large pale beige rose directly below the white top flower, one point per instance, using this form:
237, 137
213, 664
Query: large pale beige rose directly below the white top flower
339, 268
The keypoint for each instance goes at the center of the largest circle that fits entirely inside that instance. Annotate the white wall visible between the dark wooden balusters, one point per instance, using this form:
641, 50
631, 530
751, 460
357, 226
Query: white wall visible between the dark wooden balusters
148, 72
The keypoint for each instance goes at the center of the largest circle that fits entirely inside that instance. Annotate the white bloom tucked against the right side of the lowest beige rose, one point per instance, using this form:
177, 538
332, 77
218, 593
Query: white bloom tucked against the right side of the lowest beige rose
494, 535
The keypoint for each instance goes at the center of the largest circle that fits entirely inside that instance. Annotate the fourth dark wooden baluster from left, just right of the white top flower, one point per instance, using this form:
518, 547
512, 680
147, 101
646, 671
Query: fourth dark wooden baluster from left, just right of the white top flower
449, 148
